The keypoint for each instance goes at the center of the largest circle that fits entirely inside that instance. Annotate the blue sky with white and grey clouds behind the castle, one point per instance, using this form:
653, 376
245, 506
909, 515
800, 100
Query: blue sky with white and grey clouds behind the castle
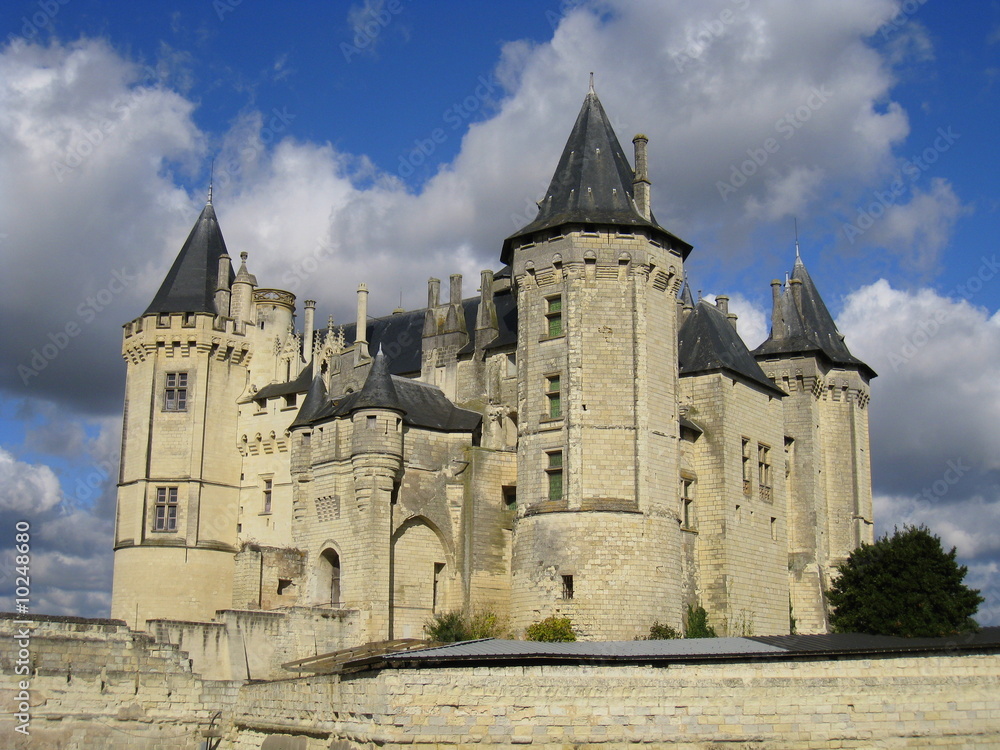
391, 141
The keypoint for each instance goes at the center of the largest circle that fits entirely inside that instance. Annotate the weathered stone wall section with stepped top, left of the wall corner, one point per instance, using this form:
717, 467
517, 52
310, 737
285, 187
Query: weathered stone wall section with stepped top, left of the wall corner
97, 684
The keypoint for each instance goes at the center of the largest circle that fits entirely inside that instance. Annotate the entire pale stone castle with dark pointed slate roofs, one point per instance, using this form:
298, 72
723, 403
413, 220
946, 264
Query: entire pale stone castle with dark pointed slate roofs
581, 438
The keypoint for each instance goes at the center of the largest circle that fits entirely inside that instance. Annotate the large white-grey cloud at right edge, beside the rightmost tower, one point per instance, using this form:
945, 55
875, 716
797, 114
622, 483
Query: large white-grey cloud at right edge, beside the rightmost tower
936, 398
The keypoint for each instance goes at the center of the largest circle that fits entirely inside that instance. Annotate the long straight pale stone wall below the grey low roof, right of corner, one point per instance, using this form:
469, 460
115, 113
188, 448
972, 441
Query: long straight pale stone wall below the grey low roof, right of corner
919, 701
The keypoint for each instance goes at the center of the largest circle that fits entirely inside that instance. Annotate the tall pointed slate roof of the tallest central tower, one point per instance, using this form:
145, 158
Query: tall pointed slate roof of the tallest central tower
592, 183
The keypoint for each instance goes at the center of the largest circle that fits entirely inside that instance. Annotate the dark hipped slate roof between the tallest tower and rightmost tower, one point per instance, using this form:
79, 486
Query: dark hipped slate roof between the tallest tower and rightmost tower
708, 342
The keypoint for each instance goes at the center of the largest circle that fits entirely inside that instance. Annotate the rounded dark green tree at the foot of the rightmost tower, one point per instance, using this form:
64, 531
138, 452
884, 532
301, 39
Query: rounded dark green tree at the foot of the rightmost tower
903, 585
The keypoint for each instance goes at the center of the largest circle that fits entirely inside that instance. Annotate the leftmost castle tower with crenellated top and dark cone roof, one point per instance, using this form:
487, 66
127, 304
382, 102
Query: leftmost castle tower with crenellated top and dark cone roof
179, 478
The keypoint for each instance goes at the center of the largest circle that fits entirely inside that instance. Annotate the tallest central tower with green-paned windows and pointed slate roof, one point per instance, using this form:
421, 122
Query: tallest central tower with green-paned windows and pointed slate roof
597, 537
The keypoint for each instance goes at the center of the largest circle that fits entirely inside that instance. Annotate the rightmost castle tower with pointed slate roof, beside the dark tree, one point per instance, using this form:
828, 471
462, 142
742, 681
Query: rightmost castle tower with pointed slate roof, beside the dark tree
828, 465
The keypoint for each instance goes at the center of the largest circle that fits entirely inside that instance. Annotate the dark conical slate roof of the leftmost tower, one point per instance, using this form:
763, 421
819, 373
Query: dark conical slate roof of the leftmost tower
191, 282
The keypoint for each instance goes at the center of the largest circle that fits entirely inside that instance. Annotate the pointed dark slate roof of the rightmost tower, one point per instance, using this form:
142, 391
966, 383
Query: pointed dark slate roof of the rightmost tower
803, 325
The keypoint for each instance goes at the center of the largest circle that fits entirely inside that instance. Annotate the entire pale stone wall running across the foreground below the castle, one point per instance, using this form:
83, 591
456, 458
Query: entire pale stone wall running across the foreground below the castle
96, 684
